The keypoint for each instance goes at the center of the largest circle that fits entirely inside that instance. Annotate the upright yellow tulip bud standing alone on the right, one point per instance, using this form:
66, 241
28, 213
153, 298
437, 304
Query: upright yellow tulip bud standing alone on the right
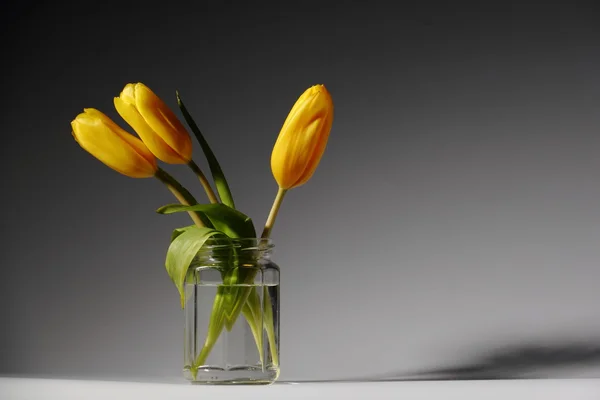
302, 138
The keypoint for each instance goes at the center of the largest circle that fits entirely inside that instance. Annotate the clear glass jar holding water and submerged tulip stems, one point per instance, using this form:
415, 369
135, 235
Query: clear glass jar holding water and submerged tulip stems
232, 314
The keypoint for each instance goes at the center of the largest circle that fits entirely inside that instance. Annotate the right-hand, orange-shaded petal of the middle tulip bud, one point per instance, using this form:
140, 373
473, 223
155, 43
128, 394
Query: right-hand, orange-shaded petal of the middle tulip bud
163, 121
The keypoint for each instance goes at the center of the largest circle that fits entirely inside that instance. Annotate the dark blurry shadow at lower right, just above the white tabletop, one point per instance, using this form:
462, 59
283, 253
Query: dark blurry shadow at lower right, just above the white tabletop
522, 361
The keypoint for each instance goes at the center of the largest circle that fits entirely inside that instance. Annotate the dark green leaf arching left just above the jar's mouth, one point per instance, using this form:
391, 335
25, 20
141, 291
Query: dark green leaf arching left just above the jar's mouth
230, 221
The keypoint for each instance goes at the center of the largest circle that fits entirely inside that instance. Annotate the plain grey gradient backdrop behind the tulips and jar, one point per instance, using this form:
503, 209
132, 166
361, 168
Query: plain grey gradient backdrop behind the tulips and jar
454, 221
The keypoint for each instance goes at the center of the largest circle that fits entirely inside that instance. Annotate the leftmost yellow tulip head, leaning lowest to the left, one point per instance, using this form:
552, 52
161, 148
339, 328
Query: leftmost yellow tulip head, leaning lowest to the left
104, 139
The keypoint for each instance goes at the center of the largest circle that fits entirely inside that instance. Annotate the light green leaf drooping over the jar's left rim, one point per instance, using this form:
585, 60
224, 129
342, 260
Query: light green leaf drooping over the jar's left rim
182, 251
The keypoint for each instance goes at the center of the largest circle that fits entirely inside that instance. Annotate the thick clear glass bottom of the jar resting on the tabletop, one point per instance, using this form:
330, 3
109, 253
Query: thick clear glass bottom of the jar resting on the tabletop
233, 375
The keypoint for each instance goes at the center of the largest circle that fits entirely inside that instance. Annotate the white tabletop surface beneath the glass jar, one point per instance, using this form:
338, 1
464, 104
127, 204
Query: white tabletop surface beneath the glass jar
549, 389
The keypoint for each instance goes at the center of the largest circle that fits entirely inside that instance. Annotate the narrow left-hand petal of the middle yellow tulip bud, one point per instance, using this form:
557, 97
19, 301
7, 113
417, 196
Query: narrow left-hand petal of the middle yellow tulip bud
155, 143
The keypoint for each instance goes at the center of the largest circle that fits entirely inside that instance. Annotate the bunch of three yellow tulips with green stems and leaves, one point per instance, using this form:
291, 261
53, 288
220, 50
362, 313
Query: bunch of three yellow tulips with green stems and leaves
161, 136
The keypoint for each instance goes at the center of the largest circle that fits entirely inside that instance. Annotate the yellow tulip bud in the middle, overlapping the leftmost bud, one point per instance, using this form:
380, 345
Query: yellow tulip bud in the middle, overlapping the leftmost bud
155, 123
